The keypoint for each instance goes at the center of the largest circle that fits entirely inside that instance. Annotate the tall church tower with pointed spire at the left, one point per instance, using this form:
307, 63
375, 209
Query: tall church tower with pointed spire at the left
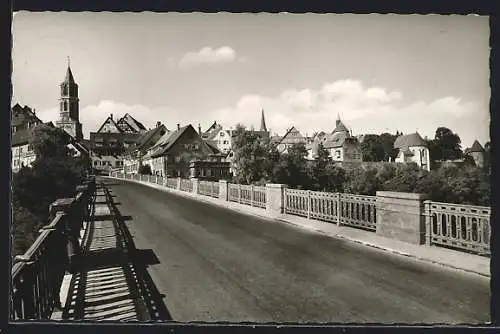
69, 112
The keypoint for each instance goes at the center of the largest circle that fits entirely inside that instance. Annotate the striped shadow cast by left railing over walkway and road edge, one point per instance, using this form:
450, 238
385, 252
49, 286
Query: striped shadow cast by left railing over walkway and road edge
112, 282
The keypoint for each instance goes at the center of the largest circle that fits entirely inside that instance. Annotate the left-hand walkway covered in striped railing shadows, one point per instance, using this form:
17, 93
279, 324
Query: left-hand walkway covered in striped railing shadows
107, 286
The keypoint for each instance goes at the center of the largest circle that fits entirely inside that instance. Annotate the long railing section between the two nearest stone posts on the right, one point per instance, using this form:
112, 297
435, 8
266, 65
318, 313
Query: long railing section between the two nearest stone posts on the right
346, 209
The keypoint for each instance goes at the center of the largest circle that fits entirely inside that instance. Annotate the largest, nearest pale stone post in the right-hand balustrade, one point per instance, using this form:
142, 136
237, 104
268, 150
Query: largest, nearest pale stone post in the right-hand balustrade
400, 216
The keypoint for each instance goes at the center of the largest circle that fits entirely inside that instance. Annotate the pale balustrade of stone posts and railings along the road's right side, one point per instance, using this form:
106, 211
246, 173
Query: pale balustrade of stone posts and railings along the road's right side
402, 216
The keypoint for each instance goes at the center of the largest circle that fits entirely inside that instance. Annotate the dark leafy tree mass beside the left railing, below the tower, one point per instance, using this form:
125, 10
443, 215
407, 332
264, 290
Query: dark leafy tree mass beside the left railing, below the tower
54, 174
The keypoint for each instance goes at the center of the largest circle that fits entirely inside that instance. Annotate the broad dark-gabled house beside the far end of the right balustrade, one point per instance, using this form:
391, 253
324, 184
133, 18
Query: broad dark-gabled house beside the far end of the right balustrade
183, 153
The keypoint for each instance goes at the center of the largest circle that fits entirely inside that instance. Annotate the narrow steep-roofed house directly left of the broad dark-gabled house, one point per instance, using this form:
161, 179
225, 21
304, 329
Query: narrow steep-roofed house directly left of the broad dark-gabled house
136, 155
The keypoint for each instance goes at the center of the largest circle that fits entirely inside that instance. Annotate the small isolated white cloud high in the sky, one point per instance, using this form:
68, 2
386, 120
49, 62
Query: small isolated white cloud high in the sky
208, 55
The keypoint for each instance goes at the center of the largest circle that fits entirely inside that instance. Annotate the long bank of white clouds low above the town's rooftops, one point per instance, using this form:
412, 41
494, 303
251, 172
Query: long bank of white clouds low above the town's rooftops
364, 110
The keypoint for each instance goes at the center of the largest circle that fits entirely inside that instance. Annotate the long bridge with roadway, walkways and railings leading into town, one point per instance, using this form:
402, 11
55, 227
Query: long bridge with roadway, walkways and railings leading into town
154, 250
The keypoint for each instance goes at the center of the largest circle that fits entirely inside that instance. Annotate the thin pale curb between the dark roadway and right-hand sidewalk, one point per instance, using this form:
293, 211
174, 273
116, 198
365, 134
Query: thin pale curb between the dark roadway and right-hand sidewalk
338, 235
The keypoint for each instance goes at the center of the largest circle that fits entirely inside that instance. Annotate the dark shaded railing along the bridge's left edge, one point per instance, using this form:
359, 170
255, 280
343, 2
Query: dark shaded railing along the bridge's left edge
37, 275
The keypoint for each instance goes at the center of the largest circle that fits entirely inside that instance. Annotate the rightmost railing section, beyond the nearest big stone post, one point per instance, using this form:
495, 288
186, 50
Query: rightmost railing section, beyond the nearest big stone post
464, 227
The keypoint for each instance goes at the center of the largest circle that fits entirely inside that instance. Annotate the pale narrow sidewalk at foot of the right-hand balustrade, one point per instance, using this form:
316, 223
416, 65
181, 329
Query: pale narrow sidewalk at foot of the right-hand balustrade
437, 255
